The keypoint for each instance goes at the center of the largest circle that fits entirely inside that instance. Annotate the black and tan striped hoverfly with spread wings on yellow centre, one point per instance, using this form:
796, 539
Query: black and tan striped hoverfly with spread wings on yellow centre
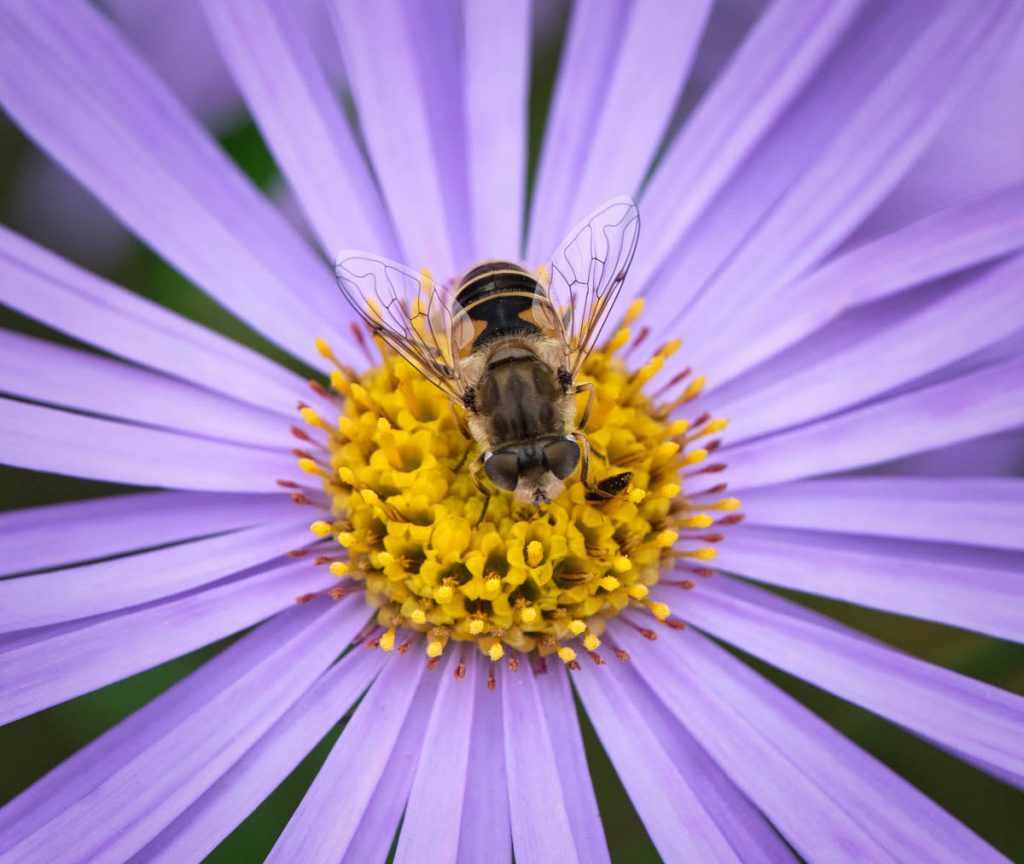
507, 345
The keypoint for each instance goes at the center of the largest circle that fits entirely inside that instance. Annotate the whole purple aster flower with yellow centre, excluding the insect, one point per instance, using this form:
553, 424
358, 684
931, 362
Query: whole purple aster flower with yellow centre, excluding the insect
826, 359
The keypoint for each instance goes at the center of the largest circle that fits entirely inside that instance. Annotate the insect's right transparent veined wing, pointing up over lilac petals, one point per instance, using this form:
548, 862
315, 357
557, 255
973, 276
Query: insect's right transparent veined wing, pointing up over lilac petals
588, 271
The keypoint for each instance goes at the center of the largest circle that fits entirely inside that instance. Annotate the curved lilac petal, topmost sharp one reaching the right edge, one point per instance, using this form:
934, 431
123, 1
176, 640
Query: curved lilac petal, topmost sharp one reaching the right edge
963, 236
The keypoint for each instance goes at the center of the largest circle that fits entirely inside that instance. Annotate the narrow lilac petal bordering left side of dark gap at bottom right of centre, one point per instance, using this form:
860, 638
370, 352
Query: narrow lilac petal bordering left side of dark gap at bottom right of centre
571, 759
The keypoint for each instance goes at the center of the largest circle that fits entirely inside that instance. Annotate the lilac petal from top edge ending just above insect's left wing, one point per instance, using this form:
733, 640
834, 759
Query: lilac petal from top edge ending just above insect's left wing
298, 113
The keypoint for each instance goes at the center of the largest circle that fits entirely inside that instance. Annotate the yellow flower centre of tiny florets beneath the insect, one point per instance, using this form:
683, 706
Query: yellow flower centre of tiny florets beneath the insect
411, 530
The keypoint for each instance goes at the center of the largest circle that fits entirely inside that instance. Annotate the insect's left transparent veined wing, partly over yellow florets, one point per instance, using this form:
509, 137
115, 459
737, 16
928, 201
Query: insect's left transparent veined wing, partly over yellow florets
410, 312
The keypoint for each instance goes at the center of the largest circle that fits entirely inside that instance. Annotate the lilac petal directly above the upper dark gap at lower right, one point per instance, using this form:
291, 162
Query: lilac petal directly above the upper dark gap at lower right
988, 600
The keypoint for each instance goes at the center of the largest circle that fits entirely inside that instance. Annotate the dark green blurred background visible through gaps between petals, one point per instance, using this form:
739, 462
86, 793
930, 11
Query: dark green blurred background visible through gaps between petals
34, 746
